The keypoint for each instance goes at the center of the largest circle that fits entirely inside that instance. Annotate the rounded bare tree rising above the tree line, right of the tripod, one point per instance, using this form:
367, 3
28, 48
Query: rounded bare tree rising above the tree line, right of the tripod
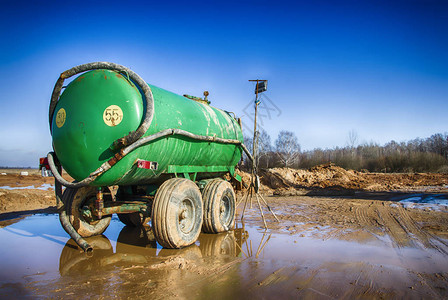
288, 148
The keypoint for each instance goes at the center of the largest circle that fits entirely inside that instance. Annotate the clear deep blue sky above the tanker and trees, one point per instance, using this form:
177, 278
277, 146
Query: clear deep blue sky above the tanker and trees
378, 67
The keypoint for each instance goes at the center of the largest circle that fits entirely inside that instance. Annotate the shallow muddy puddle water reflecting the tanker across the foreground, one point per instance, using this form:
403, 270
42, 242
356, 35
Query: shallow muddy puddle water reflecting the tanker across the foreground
244, 263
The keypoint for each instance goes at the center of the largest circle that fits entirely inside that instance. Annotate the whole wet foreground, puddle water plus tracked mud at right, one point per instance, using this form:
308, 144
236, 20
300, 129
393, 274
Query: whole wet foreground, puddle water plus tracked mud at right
312, 253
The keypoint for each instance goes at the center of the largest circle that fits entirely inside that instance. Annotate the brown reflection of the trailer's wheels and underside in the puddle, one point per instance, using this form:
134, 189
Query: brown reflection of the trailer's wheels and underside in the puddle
138, 246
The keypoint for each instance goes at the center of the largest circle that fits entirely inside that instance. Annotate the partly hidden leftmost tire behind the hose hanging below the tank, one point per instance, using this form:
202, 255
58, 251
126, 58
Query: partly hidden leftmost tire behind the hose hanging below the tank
75, 199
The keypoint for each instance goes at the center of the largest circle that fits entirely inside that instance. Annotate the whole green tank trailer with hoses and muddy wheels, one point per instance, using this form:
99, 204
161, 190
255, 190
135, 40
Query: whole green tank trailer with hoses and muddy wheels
168, 154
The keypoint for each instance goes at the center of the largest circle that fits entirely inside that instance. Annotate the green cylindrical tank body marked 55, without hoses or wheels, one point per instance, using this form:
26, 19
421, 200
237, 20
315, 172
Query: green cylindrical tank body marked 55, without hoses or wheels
101, 106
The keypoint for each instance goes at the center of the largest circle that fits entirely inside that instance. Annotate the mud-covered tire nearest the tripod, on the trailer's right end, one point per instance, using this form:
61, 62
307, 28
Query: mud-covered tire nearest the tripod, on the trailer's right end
219, 206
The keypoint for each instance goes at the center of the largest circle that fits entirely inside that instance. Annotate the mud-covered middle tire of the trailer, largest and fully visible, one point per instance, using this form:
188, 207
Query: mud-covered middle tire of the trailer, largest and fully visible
177, 213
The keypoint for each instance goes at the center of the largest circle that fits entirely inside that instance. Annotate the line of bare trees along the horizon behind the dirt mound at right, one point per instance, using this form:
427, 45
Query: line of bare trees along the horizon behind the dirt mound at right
417, 155
